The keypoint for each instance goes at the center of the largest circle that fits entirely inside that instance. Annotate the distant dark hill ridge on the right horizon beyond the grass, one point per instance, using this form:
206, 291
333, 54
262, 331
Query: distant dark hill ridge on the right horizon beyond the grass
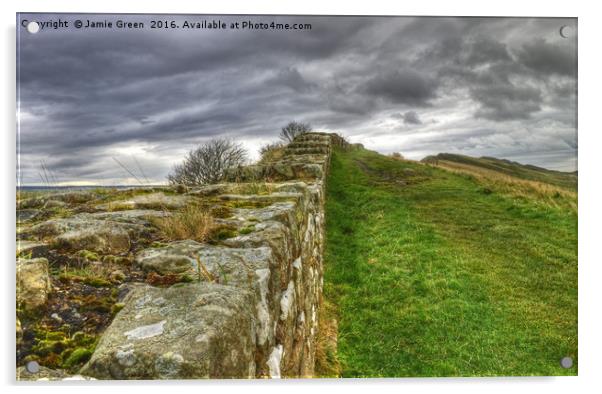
529, 172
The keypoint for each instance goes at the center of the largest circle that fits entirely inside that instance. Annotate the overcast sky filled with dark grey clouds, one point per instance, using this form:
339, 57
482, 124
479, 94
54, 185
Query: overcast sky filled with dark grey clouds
502, 87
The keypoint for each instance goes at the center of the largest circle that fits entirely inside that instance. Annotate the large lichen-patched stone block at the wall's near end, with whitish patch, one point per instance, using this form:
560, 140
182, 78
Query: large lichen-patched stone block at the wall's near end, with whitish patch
192, 331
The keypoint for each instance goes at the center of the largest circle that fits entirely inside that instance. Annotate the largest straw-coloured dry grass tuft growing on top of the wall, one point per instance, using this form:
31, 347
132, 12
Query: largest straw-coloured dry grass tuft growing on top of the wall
192, 222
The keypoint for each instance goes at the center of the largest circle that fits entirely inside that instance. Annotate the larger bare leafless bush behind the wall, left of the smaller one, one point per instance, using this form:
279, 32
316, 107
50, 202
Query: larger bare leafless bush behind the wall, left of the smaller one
208, 163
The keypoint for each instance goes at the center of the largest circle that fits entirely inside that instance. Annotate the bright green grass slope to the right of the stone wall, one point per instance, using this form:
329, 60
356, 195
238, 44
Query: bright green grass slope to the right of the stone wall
433, 277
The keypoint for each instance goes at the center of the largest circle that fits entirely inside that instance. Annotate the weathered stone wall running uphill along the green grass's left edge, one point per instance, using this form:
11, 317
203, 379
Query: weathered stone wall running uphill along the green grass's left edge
253, 312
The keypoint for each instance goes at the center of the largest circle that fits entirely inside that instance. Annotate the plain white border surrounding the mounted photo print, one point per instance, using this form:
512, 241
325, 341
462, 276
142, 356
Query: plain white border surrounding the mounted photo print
590, 151
